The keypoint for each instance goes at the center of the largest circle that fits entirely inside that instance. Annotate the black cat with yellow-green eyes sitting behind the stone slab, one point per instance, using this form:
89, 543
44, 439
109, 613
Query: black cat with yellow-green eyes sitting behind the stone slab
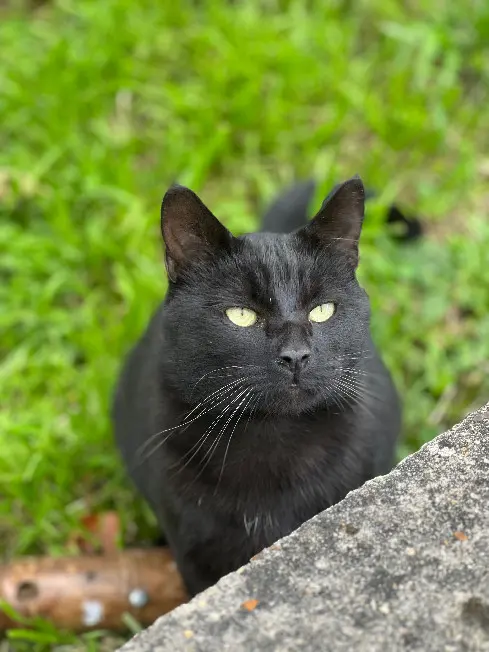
256, 397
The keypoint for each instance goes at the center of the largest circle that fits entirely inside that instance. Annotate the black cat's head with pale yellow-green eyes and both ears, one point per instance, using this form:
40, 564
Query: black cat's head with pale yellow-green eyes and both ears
276, 321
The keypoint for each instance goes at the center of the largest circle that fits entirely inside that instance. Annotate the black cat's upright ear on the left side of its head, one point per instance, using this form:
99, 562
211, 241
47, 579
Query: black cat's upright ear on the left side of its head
190, 231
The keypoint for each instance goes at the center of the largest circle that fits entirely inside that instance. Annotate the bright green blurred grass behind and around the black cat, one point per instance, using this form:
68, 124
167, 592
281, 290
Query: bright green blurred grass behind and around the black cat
104, 104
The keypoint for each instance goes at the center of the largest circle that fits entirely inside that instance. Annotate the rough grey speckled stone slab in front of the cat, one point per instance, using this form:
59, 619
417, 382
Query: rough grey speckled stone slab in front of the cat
400, 564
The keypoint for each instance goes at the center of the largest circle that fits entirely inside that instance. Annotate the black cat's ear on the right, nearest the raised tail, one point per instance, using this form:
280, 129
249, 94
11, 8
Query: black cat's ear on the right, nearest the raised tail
339, 221
